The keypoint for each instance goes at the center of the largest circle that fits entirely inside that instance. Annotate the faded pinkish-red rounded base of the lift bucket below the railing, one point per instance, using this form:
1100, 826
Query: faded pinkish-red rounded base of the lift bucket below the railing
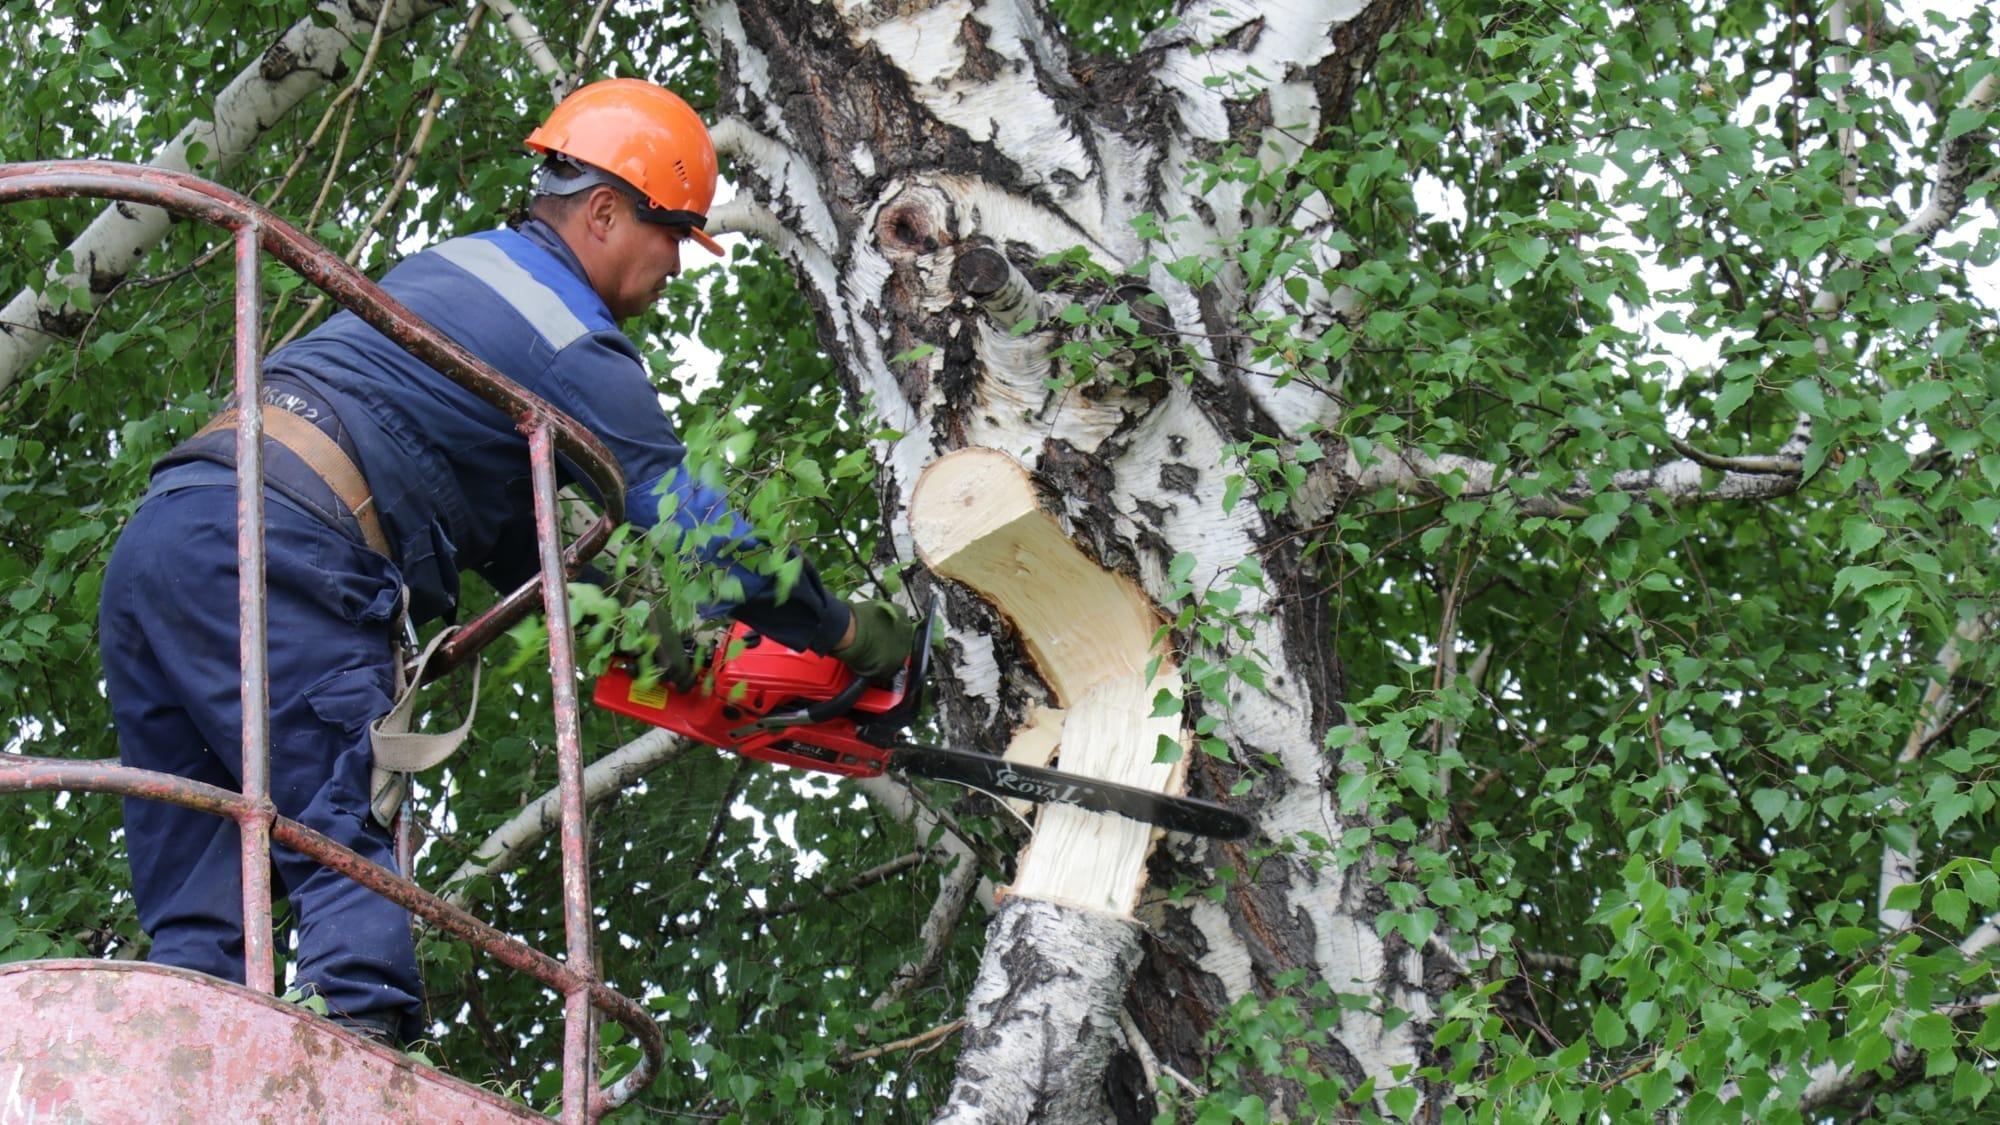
119, 1044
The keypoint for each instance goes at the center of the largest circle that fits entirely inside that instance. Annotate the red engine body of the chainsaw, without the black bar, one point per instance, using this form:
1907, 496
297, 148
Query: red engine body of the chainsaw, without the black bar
753, 702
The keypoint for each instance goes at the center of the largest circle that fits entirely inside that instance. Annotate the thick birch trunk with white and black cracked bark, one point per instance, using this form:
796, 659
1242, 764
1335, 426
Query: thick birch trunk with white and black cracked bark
917, 163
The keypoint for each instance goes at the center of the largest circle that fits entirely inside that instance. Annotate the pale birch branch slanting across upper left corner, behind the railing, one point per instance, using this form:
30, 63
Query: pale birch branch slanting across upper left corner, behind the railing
305, 59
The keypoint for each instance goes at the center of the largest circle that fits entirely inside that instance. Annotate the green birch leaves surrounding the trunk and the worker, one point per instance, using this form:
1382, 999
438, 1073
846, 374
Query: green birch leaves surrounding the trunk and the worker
1649, 477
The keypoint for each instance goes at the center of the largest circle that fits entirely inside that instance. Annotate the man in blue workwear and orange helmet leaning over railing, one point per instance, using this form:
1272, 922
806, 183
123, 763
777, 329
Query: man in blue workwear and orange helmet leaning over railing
629, 179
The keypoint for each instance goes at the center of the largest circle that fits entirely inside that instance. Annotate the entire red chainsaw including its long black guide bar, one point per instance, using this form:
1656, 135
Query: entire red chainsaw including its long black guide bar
773, 704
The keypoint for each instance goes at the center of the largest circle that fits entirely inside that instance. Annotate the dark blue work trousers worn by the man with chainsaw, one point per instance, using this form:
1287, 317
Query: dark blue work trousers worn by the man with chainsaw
171, 668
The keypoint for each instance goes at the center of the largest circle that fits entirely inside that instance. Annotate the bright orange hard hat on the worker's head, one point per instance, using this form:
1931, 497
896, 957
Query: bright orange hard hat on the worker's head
645, 137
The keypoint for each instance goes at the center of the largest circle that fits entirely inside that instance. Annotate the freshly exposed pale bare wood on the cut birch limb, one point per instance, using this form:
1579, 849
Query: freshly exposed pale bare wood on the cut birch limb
1091, 634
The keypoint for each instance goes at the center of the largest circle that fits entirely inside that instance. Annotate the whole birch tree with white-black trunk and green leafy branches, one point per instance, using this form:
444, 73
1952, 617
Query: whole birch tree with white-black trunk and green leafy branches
1557, 445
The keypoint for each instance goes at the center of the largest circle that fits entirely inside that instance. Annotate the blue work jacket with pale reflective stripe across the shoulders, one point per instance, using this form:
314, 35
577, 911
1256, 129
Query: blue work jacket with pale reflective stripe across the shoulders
451, 473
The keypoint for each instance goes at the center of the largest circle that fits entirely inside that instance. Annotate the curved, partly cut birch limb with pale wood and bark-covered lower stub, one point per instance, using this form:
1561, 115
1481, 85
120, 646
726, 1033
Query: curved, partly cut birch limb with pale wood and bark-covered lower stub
1063, 948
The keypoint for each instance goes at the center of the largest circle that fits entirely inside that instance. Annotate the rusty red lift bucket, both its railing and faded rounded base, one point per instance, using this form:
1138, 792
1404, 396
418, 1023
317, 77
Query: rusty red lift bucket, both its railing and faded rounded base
267, 1058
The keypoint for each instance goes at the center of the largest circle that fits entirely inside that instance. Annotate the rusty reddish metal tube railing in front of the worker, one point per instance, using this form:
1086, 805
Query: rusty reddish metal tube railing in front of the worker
549, 433
